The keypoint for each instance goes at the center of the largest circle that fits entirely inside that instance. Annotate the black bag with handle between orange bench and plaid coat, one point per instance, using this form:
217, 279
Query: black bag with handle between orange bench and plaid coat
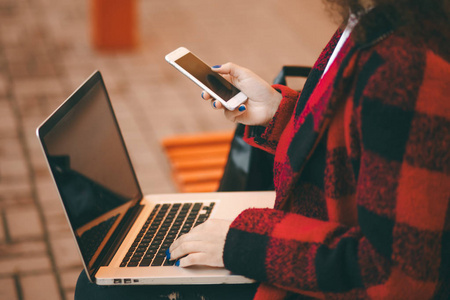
249, 168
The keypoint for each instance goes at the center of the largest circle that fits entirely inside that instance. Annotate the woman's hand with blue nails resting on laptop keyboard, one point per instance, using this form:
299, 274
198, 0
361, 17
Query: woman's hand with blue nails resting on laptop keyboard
203, 245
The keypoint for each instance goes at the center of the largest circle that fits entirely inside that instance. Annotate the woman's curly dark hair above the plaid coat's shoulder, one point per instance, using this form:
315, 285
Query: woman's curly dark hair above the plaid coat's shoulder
420, 16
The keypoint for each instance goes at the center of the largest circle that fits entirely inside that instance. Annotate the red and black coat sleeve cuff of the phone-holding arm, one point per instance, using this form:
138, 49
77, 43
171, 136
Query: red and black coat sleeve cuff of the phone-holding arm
266, 138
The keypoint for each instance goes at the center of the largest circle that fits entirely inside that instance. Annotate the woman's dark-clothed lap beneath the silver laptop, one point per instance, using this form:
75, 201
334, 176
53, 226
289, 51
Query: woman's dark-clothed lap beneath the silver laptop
86, 290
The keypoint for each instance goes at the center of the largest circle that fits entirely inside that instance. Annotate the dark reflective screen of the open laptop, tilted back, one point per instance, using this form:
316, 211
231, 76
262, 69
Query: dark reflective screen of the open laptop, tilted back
90, 165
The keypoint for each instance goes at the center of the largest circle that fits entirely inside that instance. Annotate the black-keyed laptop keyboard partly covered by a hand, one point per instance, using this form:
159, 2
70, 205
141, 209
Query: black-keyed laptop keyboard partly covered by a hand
165, 223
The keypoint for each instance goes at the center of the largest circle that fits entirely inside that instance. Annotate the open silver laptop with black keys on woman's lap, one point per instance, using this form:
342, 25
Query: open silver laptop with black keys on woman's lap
121, 234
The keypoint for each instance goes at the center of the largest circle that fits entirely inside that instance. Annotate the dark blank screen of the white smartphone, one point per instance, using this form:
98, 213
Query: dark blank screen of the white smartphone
205, 75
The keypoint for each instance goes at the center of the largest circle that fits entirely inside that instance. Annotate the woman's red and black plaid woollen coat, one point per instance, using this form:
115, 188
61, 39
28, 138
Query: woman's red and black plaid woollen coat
362, 175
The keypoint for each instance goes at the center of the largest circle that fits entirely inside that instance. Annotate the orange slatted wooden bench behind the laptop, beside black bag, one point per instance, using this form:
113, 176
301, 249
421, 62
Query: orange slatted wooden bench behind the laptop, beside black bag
197, 161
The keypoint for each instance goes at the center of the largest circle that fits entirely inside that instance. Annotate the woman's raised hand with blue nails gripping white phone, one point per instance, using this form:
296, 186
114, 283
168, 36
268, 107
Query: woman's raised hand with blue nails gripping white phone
263, 100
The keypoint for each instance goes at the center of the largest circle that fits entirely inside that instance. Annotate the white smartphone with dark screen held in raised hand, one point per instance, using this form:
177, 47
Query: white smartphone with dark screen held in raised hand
200, 73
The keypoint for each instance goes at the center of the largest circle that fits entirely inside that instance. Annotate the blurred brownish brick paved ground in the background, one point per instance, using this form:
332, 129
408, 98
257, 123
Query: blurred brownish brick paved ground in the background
45, 53
